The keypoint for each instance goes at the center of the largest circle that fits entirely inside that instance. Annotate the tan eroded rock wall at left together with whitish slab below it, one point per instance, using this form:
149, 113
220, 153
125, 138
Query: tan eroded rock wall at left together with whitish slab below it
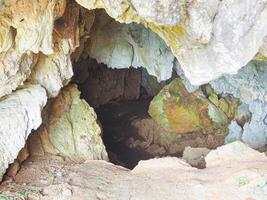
32, 50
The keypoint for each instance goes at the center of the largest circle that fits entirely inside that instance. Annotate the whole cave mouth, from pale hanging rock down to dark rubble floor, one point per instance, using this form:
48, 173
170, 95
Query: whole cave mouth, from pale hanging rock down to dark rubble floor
136, 60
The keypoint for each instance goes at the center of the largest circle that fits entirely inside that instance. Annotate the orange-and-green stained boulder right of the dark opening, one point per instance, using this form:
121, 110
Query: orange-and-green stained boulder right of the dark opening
177, 110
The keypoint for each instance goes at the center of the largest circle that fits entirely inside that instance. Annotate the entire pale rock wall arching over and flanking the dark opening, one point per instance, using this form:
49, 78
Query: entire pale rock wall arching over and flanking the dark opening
206, 39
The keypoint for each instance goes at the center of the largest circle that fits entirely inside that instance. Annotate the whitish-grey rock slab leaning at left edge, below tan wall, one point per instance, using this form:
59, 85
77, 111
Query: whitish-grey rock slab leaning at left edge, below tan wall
20, 113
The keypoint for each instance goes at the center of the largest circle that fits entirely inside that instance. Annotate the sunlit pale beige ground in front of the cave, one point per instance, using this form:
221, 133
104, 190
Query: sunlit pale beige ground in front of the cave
233, 172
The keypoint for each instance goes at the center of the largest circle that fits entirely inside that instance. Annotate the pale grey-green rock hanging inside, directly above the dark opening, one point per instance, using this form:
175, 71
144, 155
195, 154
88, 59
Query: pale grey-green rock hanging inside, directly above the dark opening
123, 46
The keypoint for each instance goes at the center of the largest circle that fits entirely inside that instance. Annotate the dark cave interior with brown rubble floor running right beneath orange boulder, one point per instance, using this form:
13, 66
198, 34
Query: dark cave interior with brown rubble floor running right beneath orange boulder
121, 99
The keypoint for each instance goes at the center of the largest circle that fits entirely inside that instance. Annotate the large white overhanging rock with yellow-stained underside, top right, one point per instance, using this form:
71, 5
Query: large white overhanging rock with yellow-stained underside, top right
209, 38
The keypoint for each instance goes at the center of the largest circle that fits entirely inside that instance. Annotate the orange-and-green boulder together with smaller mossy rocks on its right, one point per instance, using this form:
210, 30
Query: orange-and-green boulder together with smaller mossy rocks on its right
177, 110
